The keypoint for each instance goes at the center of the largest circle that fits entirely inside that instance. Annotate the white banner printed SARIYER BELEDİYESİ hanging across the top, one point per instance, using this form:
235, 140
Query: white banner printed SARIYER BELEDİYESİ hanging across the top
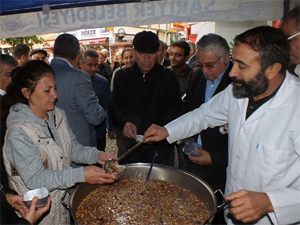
141, 13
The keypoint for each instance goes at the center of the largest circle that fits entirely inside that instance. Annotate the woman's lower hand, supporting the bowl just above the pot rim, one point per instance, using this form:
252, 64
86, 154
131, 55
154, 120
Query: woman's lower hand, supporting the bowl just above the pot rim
96, 175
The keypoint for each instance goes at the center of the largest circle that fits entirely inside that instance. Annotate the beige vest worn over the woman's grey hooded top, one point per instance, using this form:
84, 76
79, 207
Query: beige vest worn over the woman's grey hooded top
52, 158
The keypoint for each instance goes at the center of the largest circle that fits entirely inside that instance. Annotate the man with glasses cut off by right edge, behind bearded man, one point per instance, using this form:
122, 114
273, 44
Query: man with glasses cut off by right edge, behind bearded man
290, 25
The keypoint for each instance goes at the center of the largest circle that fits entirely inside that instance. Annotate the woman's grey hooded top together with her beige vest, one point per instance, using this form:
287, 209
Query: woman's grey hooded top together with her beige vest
34, 159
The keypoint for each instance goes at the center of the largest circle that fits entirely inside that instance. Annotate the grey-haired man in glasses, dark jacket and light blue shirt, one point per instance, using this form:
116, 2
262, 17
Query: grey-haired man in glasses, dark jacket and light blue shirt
211, 78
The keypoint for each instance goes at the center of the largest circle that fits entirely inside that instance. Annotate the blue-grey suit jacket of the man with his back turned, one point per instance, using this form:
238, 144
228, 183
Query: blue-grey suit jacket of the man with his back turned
77, 98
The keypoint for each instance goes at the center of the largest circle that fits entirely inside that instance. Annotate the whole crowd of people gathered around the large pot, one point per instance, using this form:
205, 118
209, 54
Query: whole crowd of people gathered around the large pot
241, 108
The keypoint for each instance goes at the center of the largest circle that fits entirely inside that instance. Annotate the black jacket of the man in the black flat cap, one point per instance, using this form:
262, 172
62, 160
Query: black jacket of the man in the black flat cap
144, 100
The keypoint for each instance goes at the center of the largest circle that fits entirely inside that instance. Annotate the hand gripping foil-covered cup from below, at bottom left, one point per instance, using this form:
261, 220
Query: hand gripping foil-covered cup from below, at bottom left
33, 213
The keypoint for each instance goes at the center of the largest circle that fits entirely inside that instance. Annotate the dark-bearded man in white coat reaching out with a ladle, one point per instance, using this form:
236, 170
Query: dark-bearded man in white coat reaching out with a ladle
262, 110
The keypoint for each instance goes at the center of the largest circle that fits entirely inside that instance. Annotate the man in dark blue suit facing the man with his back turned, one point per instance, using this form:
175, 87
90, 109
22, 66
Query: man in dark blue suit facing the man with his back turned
89, 64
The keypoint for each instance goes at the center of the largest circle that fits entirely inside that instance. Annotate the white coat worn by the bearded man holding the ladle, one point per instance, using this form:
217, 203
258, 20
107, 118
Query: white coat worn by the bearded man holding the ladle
264, 150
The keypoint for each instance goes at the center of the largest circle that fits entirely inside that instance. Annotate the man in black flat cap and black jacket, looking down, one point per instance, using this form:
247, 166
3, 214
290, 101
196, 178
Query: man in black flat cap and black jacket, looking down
144, 93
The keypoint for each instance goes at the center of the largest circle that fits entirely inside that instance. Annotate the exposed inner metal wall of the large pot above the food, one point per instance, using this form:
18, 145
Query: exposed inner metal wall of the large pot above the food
140, 170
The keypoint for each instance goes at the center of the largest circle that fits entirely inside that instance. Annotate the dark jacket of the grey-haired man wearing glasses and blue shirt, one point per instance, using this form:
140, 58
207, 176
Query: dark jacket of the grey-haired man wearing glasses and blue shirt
212, 139
